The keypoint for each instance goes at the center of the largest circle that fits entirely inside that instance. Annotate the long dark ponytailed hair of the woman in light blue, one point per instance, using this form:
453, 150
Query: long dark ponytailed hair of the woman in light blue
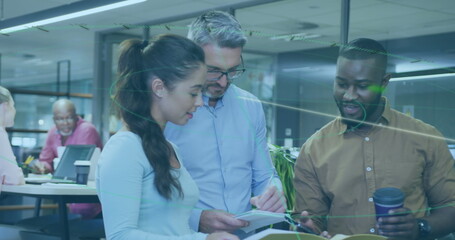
171, 58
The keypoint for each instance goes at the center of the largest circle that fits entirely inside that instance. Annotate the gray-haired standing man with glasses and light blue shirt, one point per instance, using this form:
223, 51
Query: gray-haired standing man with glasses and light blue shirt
224, 147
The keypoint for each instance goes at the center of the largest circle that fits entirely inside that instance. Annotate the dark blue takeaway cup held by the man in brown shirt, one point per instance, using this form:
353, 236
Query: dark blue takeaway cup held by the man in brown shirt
386, 199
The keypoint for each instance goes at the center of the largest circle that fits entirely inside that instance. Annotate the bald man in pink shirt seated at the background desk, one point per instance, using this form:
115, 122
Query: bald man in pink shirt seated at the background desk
69, 129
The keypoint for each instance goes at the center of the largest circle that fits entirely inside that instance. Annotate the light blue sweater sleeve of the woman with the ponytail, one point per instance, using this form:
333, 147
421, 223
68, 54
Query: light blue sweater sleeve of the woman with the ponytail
119, 185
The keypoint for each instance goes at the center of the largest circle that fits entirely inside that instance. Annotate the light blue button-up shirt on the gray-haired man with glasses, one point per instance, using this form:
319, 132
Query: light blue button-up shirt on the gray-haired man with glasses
224, 149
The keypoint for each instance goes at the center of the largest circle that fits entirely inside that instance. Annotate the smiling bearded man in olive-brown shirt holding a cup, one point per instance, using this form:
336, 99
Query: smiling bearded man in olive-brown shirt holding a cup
372, 146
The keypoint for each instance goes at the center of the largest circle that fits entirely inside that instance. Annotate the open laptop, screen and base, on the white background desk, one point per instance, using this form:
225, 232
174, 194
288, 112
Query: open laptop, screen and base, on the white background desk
66, 171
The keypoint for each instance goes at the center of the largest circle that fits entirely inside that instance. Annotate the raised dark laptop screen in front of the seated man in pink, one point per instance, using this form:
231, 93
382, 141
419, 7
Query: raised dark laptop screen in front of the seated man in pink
66, 168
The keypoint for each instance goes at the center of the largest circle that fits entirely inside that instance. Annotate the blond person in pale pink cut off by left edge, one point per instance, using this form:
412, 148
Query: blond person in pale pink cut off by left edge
10, 173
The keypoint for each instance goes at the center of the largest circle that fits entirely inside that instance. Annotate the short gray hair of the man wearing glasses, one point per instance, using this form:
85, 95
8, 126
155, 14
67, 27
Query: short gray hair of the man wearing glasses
216, 27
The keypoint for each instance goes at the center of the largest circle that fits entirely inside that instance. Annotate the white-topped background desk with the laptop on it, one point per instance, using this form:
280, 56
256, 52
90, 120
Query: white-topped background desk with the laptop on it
62, 194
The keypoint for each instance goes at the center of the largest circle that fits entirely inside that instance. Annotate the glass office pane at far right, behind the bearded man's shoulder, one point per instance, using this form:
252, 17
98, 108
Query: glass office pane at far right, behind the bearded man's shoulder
419, 38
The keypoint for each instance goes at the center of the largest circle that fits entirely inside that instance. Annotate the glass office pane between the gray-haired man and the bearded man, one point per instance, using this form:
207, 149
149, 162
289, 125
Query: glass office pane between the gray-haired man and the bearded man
301, 36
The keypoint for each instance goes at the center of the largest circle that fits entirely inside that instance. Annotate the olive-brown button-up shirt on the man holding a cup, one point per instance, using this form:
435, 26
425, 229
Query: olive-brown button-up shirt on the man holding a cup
338, 171
